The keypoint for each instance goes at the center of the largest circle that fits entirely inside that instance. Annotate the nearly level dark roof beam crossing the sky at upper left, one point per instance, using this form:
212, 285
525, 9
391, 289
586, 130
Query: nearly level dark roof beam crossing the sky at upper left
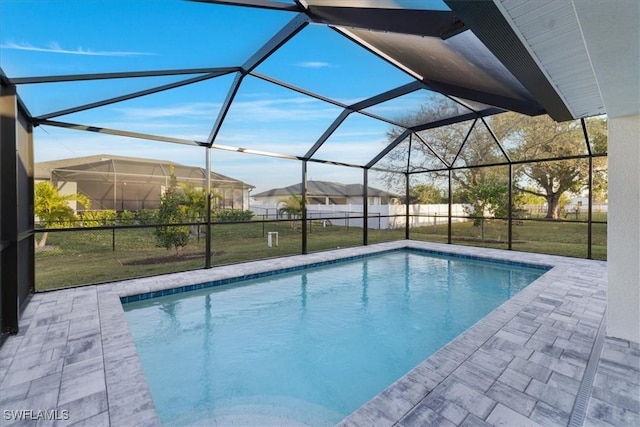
122, 75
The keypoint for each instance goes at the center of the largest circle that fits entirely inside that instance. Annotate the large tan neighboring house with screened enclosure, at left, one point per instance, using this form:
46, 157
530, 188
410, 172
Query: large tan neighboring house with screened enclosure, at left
130, 183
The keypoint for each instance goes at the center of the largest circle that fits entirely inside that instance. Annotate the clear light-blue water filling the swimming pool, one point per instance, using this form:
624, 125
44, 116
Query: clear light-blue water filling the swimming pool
310, 347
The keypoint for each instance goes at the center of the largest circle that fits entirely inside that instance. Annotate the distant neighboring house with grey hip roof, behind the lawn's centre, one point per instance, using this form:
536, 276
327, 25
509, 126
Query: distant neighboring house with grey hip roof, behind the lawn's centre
327, 193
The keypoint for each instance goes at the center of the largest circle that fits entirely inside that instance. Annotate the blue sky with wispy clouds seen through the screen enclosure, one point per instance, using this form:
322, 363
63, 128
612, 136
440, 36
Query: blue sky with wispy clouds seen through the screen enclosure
60, 37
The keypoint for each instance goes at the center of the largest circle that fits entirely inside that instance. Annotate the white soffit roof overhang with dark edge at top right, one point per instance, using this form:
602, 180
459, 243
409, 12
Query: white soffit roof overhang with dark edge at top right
561, 51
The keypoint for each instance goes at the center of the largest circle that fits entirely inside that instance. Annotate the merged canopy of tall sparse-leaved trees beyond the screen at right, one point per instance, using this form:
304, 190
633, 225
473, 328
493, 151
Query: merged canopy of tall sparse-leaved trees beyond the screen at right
523, 138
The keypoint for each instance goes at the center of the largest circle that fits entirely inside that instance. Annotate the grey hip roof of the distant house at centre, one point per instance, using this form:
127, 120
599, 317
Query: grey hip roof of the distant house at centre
325, 188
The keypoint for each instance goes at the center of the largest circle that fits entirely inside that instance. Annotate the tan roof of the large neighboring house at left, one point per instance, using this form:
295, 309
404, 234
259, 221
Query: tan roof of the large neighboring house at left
127, 167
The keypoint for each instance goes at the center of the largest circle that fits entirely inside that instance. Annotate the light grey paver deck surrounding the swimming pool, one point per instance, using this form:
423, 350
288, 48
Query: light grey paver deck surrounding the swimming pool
538, 359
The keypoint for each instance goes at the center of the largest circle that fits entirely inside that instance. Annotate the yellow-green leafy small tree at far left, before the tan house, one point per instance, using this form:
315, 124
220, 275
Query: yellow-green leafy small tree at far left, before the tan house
52, 208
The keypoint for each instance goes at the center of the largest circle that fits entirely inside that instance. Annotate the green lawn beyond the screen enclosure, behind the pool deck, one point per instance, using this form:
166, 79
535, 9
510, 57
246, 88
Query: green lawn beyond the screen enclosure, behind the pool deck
88, 256
